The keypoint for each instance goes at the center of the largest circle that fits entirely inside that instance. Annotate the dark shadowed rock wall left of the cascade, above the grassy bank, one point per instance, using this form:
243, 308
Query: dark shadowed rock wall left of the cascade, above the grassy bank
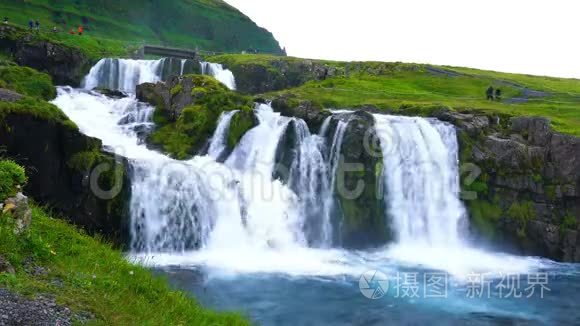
59, 161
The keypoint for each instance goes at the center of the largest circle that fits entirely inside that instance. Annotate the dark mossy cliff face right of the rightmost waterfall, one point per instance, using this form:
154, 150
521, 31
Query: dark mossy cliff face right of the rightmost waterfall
527, 188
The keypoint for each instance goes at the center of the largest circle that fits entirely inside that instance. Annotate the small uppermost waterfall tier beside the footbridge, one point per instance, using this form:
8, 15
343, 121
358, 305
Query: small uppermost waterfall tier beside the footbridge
126, 74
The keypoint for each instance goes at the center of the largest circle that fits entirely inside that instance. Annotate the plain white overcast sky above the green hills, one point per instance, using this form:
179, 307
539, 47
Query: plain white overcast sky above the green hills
525, 36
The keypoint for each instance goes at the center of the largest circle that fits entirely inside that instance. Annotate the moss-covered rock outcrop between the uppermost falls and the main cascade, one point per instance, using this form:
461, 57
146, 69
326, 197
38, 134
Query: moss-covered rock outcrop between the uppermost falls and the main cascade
187, 111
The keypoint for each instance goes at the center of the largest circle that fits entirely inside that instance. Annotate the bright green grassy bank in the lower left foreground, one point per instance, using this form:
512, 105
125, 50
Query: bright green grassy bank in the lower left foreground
95, 278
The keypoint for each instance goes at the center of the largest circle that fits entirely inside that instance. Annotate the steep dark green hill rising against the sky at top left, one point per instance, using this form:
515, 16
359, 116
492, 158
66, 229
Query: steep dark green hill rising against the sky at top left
207, 24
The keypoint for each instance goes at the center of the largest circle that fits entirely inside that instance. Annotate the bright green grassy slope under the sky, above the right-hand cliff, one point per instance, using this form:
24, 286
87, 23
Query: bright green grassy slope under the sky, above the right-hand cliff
401, 86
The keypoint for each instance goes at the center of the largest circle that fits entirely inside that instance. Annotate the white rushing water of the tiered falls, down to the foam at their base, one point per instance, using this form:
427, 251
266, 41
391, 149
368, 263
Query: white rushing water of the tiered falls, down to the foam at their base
235, 211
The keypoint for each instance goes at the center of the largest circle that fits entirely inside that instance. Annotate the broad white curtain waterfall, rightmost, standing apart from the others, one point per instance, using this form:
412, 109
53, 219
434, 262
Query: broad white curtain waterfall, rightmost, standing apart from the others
421, 177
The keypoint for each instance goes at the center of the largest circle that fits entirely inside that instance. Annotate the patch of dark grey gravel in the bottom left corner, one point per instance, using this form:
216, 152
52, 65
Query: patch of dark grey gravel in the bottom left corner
18, 310
